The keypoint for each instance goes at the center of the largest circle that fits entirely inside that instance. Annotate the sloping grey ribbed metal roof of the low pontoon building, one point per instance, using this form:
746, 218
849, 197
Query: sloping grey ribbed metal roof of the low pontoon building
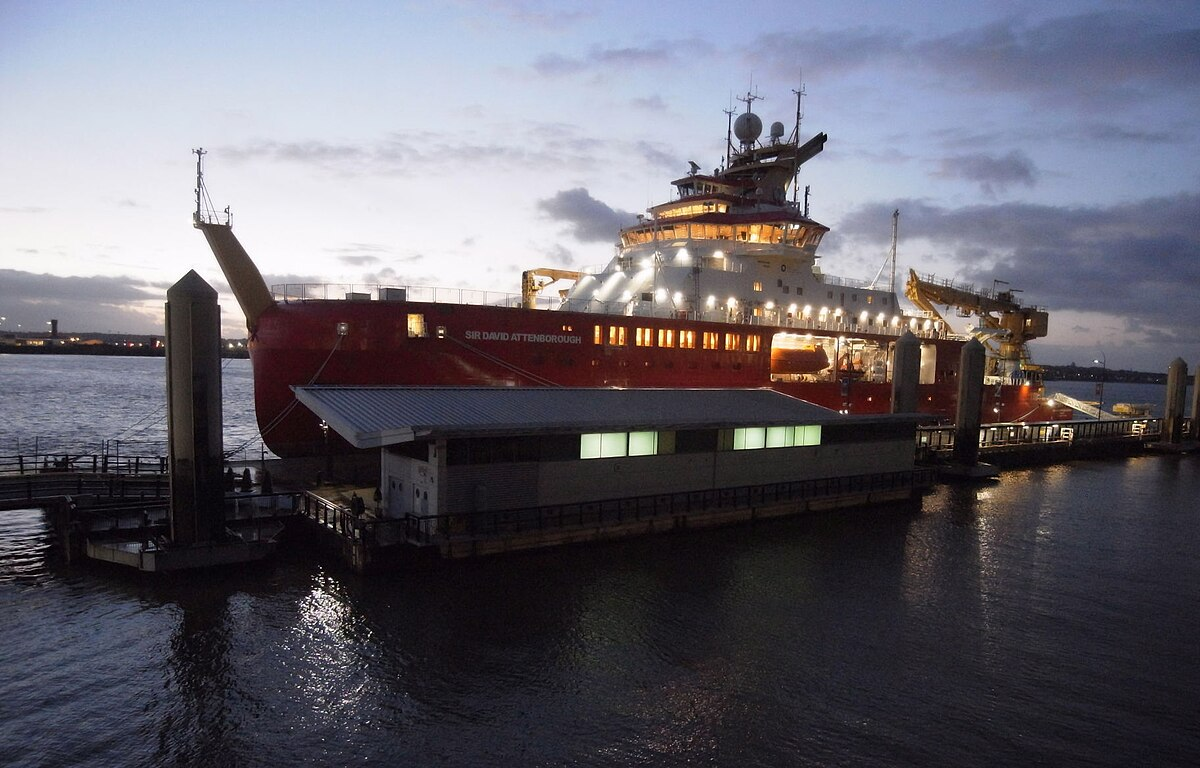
371, 417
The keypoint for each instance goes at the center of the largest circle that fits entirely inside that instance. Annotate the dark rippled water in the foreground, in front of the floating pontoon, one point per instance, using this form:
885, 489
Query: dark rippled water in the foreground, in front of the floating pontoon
1051, 619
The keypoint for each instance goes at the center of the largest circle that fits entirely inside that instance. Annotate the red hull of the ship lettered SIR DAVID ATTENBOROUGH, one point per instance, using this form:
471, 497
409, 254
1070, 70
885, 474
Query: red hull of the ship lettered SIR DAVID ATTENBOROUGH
423, 345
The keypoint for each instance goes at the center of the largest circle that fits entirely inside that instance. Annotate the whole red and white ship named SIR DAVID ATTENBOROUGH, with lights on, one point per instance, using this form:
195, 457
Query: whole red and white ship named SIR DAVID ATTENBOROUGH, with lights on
719, 287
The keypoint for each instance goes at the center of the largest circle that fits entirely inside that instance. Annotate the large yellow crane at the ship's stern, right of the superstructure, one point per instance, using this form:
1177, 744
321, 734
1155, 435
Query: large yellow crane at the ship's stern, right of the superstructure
1005, 325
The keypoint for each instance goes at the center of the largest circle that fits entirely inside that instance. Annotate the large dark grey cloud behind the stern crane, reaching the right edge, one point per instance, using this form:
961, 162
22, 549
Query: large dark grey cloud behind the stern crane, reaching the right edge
1136, 262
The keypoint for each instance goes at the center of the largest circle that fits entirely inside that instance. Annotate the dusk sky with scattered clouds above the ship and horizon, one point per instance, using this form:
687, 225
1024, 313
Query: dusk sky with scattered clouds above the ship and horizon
1051, 146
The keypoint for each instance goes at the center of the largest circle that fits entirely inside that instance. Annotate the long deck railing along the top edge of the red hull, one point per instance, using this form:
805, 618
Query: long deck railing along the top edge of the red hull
776, 317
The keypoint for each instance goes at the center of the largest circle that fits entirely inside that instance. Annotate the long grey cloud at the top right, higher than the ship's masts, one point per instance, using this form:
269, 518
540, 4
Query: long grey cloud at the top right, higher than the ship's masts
1093, 61
